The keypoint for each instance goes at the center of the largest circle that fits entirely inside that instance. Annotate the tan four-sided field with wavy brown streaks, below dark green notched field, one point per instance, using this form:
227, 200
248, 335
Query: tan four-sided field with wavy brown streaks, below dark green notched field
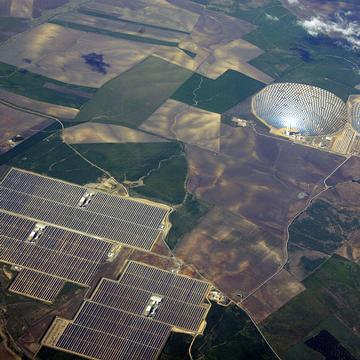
190, 125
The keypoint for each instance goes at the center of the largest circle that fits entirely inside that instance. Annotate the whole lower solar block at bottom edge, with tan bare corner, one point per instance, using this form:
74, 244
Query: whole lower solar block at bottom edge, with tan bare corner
133, 317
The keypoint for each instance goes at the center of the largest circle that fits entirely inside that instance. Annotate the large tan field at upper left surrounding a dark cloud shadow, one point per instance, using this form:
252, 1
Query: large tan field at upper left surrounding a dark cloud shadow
56, 52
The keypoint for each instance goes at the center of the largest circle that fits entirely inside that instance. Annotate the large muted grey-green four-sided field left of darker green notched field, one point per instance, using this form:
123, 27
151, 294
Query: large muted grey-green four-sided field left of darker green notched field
132, 97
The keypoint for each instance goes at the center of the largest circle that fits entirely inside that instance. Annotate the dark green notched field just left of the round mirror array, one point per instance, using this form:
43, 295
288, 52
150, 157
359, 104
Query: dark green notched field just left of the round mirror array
217, 95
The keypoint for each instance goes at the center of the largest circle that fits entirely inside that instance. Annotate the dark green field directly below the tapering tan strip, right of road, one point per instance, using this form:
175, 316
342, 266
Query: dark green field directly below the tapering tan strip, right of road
129, 161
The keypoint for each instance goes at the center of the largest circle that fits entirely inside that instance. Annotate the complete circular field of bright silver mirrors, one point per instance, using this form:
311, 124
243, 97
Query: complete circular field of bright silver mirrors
300, 108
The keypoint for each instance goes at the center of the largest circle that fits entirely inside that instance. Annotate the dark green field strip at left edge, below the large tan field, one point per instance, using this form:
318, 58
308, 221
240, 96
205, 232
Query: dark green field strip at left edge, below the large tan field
23, 82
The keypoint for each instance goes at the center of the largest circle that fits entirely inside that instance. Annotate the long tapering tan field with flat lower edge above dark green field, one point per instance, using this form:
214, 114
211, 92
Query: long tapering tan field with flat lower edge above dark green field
92, 133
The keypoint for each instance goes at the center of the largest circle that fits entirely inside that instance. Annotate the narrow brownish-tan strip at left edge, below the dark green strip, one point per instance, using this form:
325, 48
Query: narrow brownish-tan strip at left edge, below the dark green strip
58, 111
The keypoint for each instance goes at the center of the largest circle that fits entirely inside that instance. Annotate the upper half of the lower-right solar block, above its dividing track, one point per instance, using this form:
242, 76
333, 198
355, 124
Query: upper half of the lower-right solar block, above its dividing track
182, 297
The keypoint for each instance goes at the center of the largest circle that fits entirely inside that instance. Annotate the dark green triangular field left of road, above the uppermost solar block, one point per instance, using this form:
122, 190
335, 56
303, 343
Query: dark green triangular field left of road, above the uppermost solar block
52, 157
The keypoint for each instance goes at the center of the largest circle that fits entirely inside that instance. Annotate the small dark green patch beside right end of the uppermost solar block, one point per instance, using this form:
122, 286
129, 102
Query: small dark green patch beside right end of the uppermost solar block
185, 218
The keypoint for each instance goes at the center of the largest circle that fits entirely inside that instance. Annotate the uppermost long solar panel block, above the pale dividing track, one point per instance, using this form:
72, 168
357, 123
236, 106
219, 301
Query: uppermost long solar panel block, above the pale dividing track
56, 202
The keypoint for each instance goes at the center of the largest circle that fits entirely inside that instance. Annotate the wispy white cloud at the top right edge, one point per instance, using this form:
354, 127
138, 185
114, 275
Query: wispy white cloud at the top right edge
340, 28
